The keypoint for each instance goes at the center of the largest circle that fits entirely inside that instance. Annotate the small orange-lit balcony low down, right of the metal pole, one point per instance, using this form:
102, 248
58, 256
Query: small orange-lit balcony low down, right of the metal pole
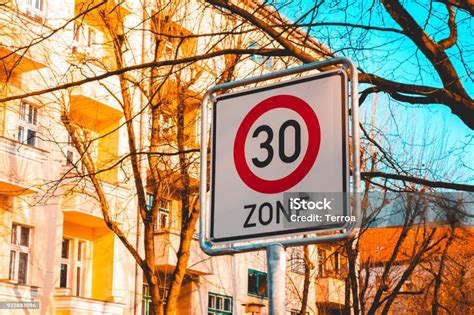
330, 291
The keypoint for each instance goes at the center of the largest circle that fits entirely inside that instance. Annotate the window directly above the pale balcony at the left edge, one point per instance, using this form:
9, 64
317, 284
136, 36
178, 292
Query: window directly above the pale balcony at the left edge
27, 129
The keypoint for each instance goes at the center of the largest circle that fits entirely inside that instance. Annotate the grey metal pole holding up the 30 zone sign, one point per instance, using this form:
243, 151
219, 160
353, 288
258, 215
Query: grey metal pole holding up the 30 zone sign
276, 263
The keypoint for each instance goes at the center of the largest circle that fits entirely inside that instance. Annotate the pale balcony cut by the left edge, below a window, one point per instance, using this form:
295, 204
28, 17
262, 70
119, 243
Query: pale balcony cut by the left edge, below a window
21, 167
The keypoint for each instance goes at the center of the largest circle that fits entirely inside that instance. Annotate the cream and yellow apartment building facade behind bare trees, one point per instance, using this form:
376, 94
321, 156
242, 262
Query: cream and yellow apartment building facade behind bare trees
56, 247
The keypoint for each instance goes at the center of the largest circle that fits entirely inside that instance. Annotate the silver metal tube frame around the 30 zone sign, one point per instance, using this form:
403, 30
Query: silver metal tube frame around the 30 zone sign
212, 248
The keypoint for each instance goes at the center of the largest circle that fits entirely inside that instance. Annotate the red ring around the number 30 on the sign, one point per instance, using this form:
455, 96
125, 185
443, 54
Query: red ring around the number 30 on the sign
314, 139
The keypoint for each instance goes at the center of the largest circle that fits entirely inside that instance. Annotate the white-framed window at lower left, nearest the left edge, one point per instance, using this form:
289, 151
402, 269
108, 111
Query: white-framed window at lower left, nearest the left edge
19, 253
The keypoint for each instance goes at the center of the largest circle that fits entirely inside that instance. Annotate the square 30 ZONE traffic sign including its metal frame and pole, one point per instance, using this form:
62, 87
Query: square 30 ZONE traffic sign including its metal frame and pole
279, 152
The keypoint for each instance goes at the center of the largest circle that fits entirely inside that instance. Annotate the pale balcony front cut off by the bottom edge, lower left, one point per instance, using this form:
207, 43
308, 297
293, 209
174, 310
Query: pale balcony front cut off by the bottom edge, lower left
80, 305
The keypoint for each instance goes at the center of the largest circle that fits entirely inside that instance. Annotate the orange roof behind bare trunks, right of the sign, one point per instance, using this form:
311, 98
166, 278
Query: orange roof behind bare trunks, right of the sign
377, 245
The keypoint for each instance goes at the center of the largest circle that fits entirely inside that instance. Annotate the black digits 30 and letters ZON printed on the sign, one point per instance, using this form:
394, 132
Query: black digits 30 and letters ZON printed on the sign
285, 158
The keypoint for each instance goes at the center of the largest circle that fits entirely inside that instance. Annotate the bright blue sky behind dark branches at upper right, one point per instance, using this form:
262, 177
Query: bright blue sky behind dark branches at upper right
428, 139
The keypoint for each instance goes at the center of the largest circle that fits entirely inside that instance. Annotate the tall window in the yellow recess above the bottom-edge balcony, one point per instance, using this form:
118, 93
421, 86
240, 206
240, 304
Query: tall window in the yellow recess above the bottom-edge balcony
72, 257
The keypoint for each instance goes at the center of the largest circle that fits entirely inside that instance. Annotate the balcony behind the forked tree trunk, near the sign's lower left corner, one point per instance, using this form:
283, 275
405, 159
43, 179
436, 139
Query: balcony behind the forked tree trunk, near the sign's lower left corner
166, 247
